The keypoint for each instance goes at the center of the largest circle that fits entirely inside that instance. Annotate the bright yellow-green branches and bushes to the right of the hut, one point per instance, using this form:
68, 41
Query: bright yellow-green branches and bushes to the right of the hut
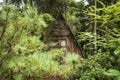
103, 65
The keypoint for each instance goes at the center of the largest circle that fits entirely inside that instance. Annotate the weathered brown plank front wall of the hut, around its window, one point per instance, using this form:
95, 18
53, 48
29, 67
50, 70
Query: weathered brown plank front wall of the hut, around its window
62, 33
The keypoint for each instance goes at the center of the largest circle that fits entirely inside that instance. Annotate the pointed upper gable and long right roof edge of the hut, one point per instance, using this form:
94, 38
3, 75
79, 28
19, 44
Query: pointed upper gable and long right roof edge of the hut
63, 29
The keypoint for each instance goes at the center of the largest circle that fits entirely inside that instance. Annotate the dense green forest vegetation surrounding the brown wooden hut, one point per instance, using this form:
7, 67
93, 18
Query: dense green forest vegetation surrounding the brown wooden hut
24, 56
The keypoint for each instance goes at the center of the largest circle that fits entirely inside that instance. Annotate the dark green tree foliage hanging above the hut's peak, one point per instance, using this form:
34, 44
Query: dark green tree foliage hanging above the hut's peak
53, 7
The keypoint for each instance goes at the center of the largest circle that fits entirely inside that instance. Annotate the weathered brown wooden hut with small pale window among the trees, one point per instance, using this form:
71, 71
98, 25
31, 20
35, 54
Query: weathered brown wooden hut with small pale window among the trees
62, 36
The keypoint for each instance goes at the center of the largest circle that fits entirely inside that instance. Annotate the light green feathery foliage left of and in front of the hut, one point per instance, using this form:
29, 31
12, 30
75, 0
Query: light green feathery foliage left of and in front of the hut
23, 55
